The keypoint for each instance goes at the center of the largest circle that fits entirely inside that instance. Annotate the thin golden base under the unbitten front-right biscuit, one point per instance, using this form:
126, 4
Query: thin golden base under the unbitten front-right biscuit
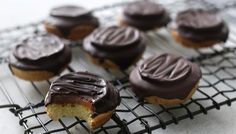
157, 100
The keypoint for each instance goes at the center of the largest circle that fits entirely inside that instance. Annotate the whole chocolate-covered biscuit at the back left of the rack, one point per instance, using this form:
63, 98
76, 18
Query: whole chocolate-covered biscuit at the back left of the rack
71, 22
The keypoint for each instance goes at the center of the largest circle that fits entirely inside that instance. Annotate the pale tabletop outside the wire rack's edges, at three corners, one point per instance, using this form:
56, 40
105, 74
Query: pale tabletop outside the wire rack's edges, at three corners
18, 12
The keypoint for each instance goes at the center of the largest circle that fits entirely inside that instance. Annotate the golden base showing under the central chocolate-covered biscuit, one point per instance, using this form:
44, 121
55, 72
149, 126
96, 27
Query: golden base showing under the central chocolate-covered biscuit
106, 63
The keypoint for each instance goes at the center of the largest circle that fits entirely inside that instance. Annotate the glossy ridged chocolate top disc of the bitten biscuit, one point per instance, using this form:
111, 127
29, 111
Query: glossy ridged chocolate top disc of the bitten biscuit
79, 84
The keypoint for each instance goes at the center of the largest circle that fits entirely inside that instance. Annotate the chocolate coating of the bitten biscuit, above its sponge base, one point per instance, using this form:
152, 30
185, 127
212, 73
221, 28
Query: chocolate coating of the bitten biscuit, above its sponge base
86, 86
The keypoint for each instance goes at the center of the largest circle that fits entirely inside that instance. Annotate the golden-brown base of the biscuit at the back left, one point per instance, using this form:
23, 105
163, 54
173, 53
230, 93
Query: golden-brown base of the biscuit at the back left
77, 33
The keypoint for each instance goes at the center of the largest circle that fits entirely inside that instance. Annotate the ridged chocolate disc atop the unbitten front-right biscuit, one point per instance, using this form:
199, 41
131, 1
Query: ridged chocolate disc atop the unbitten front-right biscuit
165, 68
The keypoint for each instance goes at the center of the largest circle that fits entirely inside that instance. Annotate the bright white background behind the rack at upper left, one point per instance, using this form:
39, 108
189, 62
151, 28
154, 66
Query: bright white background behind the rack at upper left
18, 12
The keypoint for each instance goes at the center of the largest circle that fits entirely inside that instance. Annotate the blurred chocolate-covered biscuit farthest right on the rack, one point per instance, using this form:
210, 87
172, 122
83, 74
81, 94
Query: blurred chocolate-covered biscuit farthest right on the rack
198, 28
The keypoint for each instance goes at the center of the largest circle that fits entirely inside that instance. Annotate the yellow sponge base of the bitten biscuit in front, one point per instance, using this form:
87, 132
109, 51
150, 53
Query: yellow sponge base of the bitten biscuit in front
56, 111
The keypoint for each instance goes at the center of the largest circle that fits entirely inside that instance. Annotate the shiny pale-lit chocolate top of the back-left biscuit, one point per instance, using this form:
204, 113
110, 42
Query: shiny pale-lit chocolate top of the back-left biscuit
69, 11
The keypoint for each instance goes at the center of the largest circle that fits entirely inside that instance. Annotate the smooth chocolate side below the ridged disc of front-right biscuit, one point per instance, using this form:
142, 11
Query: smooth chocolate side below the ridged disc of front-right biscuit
180, 90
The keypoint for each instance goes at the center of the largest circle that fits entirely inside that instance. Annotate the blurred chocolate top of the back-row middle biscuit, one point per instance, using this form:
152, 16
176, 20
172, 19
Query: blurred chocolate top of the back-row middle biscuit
144, 9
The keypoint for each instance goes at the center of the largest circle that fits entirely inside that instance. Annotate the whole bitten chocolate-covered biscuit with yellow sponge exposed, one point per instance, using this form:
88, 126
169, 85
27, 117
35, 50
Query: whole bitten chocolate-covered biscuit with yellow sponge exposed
82, 94
